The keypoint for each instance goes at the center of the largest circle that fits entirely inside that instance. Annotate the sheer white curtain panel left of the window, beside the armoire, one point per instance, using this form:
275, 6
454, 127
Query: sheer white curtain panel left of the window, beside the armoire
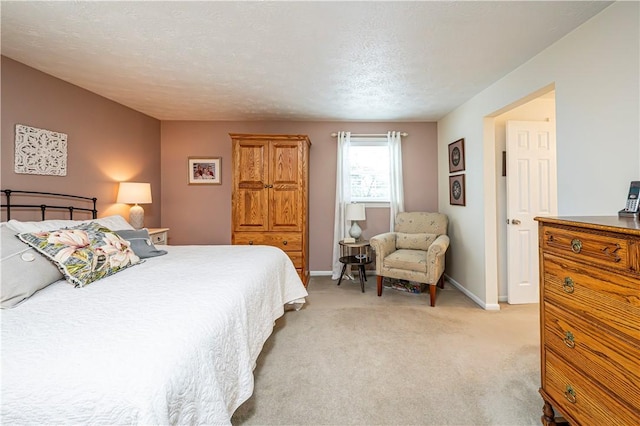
343, 197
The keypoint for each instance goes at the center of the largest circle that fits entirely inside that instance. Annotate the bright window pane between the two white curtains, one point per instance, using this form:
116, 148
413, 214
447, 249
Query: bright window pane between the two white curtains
369, 163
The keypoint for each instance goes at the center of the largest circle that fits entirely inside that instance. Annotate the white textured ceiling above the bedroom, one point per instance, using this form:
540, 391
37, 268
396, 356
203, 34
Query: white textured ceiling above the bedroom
387, 61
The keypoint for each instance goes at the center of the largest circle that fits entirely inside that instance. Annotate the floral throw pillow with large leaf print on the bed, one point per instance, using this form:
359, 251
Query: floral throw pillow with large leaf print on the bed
85, 253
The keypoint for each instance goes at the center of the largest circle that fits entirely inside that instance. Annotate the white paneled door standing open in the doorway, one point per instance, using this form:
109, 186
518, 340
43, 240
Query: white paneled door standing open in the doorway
531, 192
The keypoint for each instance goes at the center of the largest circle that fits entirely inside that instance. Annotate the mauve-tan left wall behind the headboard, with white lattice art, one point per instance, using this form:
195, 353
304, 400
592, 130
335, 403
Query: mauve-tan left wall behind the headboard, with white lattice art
107, 142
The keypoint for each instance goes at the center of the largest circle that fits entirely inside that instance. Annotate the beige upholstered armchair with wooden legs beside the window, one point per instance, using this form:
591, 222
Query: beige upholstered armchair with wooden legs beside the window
415, 251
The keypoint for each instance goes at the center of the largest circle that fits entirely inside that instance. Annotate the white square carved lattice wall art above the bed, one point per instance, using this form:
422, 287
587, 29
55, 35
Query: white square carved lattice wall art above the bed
40, 152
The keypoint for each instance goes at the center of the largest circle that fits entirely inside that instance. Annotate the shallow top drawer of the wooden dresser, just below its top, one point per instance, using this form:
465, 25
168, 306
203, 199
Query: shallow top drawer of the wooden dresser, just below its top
605, 250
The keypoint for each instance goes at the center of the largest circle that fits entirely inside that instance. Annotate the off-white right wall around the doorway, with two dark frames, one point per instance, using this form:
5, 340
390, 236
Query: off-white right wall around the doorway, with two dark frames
595, 71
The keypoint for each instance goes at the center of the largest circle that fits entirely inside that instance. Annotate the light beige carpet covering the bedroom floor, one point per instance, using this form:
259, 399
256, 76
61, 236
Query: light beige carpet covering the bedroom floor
353, 358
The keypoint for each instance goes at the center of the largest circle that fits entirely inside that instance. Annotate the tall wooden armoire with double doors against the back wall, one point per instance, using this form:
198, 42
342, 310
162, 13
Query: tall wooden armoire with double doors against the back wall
270, 199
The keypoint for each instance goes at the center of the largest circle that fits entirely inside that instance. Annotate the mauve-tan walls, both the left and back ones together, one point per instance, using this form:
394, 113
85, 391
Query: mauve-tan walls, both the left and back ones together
108, 143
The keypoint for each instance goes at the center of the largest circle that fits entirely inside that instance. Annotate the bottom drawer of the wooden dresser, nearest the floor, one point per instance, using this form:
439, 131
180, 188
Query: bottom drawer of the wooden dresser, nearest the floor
580, 398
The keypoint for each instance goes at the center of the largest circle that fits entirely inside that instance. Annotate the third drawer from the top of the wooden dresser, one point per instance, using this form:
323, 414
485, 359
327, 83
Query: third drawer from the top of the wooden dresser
612, 362
